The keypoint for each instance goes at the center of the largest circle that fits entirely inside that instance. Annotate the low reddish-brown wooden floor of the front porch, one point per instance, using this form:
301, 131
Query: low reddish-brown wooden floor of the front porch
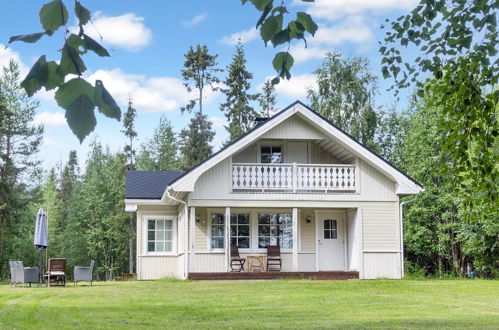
326, 275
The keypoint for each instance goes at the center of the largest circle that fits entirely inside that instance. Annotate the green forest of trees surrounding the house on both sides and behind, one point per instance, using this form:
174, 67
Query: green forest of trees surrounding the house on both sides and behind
445, 138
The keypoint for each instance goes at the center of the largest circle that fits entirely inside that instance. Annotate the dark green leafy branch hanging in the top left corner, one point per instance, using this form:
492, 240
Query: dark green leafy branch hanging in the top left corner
77, 96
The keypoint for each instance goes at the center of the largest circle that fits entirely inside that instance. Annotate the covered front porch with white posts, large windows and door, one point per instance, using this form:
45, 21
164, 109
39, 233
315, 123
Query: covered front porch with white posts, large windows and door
315, 243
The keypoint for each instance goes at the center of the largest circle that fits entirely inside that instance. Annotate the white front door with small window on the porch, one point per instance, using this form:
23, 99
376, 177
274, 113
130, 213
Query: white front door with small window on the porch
331, 240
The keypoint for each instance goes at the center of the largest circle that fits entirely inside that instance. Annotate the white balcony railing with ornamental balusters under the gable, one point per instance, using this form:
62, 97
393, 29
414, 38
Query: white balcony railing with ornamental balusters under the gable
294, 177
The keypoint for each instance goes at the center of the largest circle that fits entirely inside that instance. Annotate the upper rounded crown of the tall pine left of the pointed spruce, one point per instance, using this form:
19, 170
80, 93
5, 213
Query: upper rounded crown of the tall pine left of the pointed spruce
200, 72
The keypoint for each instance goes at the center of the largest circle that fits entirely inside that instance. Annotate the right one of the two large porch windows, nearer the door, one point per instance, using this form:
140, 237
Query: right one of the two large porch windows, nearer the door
275, 229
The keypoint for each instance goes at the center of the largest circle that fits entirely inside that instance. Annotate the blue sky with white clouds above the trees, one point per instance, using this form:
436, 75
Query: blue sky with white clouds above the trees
147, 40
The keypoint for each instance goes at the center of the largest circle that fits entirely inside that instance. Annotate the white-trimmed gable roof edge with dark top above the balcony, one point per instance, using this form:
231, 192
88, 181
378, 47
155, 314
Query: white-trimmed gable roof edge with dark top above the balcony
405, 184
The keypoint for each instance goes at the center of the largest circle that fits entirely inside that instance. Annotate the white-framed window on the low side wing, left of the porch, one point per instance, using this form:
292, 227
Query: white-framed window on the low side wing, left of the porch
160, 235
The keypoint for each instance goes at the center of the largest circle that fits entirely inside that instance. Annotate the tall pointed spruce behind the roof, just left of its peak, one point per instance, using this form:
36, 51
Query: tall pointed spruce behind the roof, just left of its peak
240, 115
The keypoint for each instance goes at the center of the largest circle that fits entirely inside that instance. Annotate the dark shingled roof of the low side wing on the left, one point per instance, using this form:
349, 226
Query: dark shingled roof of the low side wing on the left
148, 184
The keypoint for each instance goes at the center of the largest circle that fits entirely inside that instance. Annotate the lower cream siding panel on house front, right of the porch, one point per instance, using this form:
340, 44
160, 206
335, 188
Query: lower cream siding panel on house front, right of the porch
381, 265
